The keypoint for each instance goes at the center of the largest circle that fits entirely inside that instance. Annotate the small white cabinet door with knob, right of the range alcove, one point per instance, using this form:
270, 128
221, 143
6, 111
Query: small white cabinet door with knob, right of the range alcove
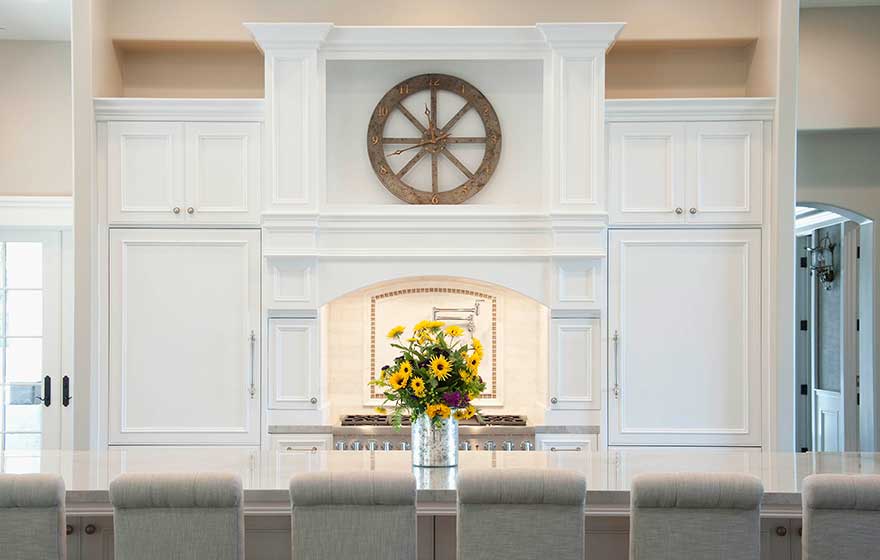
576, 363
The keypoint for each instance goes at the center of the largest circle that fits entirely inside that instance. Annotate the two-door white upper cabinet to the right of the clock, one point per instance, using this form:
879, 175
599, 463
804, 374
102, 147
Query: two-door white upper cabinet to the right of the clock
686, 173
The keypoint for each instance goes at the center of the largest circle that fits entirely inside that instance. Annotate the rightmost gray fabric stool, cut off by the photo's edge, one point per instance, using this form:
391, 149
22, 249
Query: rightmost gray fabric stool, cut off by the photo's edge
841, 517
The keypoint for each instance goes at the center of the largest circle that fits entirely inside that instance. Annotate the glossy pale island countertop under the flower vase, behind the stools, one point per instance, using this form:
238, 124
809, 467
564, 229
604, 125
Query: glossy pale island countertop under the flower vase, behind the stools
266, 474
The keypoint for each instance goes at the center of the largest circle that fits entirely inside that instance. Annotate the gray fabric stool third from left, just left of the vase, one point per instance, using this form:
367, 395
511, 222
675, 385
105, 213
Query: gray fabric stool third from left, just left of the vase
353, 515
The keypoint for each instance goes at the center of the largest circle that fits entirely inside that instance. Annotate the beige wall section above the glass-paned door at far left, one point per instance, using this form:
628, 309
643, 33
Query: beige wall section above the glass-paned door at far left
35, 118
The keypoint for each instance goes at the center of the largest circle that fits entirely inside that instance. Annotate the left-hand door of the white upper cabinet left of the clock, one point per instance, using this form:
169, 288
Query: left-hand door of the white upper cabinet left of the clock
145, 172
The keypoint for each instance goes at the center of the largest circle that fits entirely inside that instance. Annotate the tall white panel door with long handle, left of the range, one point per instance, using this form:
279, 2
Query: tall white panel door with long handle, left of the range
184, 336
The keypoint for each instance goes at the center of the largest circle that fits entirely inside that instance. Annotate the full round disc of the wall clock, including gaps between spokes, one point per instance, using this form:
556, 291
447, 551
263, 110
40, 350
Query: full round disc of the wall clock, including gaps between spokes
446, 140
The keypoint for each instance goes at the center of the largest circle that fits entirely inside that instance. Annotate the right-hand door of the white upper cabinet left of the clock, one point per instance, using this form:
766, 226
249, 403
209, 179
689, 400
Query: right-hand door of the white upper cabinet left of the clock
223, 172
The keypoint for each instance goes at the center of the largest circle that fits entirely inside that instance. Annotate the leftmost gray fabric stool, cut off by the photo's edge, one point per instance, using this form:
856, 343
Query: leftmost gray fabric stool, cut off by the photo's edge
32, 524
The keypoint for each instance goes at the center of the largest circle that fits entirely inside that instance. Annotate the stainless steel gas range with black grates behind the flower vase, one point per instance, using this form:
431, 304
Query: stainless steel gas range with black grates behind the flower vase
374, 432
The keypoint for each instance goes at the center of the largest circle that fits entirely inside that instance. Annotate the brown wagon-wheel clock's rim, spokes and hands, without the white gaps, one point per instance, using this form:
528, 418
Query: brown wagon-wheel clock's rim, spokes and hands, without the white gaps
432, 139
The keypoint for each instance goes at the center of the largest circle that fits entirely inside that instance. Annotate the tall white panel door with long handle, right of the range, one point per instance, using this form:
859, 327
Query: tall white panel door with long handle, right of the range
686, 308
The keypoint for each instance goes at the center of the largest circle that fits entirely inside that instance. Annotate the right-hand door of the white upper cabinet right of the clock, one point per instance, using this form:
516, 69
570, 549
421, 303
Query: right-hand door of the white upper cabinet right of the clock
725, 172
